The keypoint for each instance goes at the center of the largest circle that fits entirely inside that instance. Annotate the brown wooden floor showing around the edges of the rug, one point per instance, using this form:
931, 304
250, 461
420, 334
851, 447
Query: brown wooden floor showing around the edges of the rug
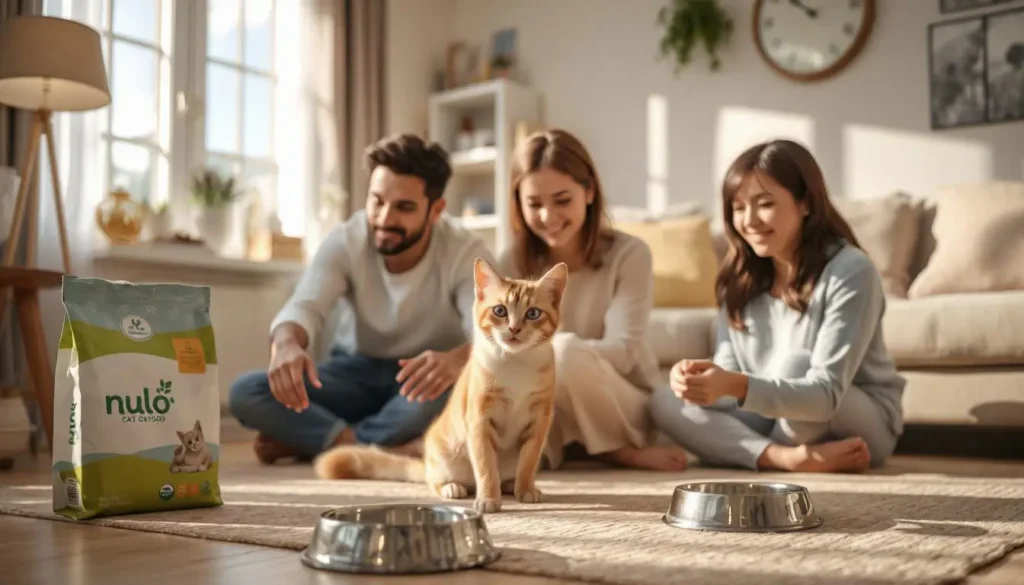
36, 552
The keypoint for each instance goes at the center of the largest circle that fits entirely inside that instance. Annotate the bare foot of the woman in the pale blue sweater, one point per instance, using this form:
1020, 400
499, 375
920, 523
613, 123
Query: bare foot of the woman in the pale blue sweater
848, 455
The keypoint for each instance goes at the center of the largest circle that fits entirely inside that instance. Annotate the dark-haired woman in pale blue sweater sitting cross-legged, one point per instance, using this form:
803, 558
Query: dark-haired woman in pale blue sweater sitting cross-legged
801, 380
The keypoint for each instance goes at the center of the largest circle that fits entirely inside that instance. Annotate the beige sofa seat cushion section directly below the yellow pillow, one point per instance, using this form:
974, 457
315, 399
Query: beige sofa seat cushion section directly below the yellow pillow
681, 333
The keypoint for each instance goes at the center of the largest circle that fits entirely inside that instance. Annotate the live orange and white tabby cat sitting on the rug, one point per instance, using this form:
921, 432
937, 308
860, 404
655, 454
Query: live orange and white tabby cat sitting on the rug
491, 435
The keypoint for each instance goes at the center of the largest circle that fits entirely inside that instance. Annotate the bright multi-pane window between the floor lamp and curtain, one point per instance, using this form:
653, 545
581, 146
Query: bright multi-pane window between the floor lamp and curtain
195, 85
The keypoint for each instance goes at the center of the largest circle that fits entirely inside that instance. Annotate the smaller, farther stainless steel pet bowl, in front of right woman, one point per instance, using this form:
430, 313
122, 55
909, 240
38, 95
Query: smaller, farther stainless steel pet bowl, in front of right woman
742, 507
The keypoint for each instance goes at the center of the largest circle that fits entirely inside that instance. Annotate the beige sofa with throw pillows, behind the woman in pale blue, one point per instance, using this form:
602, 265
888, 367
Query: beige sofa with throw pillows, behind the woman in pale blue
954, 272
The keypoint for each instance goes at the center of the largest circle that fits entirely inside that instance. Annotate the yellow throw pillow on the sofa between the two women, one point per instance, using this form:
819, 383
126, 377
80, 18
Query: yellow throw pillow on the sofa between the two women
686, 265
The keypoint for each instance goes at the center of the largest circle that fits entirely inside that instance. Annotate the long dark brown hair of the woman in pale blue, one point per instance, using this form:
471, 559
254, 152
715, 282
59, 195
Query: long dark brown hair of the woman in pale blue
745, 275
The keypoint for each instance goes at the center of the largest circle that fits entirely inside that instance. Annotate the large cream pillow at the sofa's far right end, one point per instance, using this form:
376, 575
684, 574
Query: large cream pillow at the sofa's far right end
979, 241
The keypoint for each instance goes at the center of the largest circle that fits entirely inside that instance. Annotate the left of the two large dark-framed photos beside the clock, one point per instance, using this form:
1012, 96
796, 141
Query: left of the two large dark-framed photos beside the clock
957, 73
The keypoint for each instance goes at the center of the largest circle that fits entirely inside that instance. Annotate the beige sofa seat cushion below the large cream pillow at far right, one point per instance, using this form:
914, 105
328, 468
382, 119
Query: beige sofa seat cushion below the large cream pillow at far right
972, 329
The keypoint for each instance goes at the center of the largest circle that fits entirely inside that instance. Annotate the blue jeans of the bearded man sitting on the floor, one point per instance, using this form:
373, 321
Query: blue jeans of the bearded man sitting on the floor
358, 392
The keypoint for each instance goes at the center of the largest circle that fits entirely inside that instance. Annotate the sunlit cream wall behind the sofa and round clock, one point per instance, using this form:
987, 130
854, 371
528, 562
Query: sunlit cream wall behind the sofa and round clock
596, 63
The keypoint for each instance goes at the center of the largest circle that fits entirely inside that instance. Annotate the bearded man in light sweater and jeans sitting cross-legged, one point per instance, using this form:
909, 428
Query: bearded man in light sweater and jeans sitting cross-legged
403, 277
